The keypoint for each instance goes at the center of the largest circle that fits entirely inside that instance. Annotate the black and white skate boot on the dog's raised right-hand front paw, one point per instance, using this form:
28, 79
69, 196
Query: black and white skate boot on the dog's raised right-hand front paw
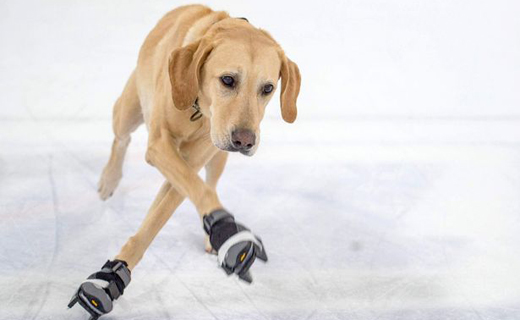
236, 246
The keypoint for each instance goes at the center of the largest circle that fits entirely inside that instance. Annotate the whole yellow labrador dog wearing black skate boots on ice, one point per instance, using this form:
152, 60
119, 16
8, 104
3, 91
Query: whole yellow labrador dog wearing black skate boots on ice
201, 85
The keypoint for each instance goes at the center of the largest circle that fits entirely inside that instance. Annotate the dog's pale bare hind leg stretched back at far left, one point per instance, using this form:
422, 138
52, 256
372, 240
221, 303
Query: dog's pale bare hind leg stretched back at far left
127, 117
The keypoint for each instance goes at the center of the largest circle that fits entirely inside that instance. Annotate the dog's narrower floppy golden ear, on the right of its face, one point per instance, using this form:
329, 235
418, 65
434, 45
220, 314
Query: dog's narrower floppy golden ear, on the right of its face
291, 81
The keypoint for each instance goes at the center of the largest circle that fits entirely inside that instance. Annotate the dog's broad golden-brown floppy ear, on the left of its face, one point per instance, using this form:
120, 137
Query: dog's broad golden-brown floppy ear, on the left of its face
184, 69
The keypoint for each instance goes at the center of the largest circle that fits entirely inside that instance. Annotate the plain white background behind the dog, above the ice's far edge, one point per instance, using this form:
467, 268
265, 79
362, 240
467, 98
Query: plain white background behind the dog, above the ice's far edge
420, 58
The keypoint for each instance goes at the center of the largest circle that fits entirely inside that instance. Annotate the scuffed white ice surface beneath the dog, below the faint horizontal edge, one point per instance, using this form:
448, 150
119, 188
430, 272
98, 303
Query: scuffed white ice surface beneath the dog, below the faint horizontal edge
393, 226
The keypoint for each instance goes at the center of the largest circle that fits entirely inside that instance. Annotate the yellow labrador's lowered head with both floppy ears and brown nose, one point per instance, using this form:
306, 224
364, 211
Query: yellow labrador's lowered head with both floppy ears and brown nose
234, 72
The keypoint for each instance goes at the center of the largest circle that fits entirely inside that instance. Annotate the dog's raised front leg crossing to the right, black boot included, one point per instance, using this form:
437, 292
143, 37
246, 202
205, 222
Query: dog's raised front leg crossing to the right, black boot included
236, 247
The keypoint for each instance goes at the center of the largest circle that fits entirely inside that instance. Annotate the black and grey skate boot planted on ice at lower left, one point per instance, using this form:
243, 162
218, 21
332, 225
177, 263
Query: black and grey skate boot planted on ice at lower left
97, 293
